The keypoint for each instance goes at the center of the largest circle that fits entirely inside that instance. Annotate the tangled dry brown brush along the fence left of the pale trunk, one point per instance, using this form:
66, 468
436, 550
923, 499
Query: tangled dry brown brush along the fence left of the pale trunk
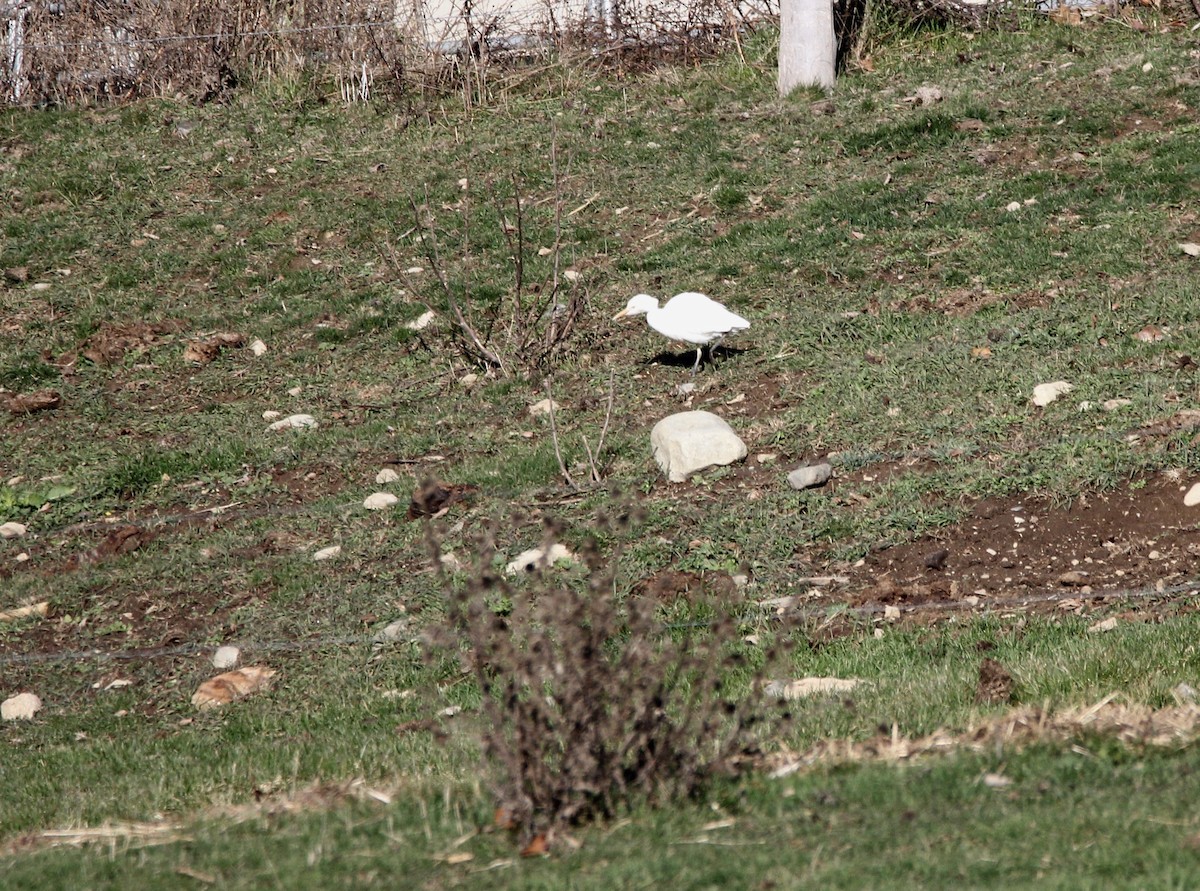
59, 51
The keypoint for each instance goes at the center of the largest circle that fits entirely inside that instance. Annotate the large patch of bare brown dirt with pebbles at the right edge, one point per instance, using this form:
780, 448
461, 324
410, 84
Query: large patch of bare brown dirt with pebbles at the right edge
1011, 549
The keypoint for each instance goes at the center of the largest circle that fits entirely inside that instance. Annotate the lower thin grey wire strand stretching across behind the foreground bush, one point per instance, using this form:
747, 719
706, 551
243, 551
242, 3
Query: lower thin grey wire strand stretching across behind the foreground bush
1097, 599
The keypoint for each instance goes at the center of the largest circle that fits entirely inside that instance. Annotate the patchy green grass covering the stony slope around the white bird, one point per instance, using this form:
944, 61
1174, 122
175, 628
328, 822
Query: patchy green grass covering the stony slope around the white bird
872, 249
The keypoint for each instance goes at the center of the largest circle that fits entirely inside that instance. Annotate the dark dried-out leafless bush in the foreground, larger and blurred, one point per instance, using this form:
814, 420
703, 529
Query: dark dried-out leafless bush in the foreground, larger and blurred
591, 703
